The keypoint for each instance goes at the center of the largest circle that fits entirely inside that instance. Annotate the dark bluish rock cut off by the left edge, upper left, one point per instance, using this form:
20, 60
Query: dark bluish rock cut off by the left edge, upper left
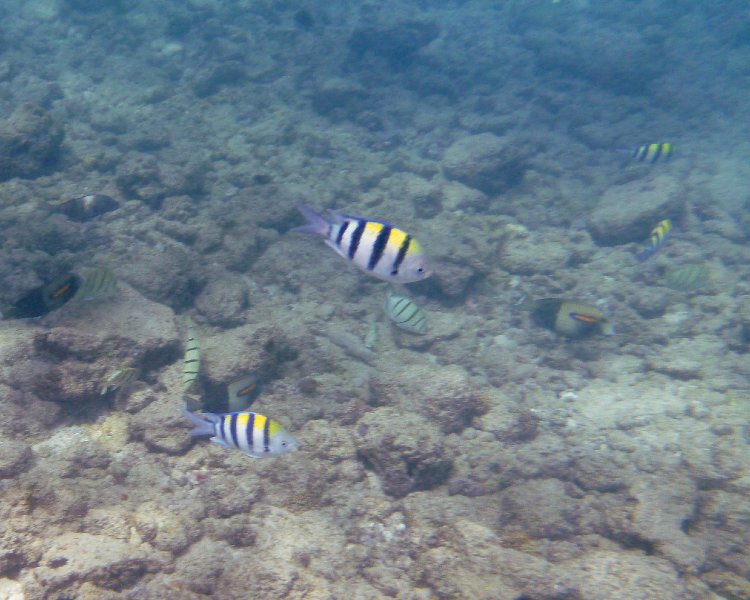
30, 141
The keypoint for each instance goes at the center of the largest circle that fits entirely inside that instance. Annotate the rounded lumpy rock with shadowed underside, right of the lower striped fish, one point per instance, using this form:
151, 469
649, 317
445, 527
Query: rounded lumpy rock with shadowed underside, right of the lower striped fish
404, 449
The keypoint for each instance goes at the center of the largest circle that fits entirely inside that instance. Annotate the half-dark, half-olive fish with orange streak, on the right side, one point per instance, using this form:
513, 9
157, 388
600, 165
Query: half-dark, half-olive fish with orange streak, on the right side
569, 318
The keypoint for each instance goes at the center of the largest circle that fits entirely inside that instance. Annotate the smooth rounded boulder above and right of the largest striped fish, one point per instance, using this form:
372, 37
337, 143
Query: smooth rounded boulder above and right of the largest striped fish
489, 163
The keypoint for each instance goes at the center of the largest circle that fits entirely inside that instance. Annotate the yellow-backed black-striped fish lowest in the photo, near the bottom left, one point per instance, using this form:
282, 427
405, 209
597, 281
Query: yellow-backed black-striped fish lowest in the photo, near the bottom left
254, 434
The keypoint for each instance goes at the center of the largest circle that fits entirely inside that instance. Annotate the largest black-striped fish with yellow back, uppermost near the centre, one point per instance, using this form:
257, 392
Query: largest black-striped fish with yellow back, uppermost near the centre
377, 248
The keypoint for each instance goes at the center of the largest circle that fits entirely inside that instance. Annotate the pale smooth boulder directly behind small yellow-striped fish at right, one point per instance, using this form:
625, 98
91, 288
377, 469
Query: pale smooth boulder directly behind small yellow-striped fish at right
628, 212
